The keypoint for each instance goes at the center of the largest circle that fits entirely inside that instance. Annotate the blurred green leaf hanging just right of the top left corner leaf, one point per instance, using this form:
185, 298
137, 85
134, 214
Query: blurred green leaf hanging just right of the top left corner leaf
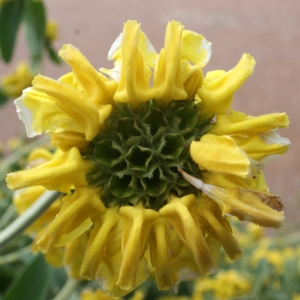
35, 23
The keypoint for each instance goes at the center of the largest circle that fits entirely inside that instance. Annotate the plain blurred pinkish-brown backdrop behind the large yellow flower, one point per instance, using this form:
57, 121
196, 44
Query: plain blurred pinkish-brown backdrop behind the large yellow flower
269, 30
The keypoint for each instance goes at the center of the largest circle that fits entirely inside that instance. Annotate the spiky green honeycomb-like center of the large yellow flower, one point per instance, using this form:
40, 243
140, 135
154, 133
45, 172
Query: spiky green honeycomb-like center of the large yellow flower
138, 155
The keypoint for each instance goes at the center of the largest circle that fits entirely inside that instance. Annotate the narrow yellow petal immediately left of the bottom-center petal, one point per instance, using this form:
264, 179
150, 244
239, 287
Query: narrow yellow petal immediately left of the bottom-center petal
95, 248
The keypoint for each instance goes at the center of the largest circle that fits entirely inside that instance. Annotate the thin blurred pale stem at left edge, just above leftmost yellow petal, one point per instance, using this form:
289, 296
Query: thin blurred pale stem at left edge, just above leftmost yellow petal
15, 156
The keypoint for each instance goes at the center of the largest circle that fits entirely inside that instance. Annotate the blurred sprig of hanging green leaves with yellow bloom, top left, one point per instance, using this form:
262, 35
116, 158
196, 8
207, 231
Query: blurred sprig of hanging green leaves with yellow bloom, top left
33, 16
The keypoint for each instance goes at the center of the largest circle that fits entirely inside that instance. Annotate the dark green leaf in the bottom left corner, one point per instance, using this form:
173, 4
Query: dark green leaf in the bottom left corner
32, 282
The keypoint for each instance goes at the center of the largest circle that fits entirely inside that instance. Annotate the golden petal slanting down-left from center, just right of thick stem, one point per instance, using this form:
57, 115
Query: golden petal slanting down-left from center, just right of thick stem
76, 209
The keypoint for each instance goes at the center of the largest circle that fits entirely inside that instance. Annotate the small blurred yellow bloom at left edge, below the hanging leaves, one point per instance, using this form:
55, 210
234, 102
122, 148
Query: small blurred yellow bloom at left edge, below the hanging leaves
18, 80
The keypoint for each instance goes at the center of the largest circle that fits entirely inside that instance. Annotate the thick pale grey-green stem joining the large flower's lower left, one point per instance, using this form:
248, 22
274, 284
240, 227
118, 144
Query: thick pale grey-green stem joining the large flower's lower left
28, 217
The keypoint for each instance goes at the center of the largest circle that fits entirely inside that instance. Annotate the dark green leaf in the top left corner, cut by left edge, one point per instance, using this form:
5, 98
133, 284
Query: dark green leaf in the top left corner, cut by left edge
10, 18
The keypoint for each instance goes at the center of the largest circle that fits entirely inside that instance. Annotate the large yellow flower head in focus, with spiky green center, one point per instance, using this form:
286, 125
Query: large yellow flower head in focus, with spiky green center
149, 177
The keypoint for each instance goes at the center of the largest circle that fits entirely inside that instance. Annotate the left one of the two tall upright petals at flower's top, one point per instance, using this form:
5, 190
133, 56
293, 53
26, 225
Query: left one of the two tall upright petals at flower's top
134, 85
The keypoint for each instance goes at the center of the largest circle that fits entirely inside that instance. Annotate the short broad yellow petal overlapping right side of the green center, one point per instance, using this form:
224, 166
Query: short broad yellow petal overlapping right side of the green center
220, 154
